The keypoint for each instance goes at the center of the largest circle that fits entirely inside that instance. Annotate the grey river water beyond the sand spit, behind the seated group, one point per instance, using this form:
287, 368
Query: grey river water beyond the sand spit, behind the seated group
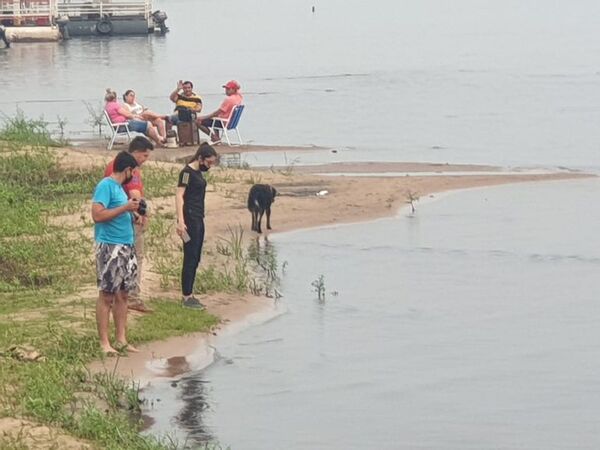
509, 83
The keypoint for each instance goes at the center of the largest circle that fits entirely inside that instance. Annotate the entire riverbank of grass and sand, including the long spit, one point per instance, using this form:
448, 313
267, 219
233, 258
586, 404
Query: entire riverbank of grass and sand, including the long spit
237, 267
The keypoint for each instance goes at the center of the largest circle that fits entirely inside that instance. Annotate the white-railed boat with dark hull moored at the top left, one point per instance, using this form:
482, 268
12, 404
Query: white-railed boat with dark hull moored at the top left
81, 18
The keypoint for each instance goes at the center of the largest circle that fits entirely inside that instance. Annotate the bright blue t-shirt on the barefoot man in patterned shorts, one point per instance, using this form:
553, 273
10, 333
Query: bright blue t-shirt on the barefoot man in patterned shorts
119, 230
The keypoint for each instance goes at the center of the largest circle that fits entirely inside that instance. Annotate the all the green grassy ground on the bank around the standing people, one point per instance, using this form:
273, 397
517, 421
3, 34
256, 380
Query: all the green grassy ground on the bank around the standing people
47, 297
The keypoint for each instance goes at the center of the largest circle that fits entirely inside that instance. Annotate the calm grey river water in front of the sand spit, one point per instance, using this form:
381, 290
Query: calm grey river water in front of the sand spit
471, 324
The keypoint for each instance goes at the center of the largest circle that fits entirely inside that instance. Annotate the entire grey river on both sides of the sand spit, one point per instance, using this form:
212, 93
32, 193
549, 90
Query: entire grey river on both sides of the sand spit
471, 324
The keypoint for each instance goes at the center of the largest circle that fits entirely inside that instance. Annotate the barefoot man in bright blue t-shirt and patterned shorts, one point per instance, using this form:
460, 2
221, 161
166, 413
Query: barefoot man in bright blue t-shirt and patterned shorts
116, 262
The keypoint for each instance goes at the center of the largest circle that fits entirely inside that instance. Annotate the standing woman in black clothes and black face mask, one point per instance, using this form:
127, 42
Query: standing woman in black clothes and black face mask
191, 190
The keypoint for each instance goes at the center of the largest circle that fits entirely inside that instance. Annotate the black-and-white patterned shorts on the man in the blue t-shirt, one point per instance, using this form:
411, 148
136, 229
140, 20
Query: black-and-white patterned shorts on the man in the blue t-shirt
116, 268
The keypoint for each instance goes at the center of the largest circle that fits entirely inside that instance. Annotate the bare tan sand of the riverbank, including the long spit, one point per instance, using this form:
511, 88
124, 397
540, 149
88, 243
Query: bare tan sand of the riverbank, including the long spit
346, 199
